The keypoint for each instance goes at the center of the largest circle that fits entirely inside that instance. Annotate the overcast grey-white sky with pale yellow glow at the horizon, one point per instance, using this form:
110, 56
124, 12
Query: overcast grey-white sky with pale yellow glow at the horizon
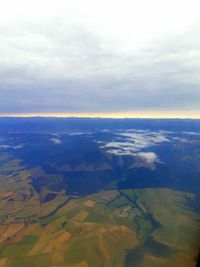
111, 58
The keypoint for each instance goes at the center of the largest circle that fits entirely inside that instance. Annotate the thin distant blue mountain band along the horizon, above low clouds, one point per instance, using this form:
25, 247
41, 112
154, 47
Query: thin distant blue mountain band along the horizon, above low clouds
60, 125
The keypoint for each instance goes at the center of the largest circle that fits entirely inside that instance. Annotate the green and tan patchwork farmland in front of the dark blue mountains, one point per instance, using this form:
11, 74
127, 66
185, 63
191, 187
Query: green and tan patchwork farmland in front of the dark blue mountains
112, 228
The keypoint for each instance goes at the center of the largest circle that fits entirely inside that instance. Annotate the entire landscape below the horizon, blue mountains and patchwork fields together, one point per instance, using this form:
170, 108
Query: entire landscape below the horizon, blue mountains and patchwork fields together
92, 192
